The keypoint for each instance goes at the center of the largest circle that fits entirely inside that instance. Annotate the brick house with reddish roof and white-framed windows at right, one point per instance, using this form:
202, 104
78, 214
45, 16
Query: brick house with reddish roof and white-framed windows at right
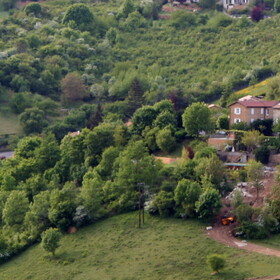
252, 109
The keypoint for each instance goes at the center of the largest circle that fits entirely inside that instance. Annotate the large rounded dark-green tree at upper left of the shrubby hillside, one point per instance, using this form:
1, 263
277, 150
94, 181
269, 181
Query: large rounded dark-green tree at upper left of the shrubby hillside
80, 14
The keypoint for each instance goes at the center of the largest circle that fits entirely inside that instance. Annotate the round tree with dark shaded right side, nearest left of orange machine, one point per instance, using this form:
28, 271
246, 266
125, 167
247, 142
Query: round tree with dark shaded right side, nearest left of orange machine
209, 203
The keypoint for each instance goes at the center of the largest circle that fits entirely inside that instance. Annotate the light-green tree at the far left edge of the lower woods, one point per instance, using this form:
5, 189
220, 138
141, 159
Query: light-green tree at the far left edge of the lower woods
15, 209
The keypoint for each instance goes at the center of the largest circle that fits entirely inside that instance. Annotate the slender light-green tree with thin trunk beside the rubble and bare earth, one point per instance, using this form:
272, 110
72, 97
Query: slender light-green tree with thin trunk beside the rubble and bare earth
255, 175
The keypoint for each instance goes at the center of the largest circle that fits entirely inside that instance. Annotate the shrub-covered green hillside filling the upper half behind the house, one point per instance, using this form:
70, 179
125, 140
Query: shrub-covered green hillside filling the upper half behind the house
46, 50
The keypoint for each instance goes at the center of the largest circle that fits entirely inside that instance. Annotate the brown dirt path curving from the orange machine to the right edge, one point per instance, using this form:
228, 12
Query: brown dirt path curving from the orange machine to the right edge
223, 235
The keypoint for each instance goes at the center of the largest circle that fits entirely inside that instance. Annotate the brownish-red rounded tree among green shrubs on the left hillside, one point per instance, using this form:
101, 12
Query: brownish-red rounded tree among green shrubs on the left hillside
72, 88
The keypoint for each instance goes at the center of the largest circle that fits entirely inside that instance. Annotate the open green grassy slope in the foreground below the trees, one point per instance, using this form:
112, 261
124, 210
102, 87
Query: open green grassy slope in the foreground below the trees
116, 249
